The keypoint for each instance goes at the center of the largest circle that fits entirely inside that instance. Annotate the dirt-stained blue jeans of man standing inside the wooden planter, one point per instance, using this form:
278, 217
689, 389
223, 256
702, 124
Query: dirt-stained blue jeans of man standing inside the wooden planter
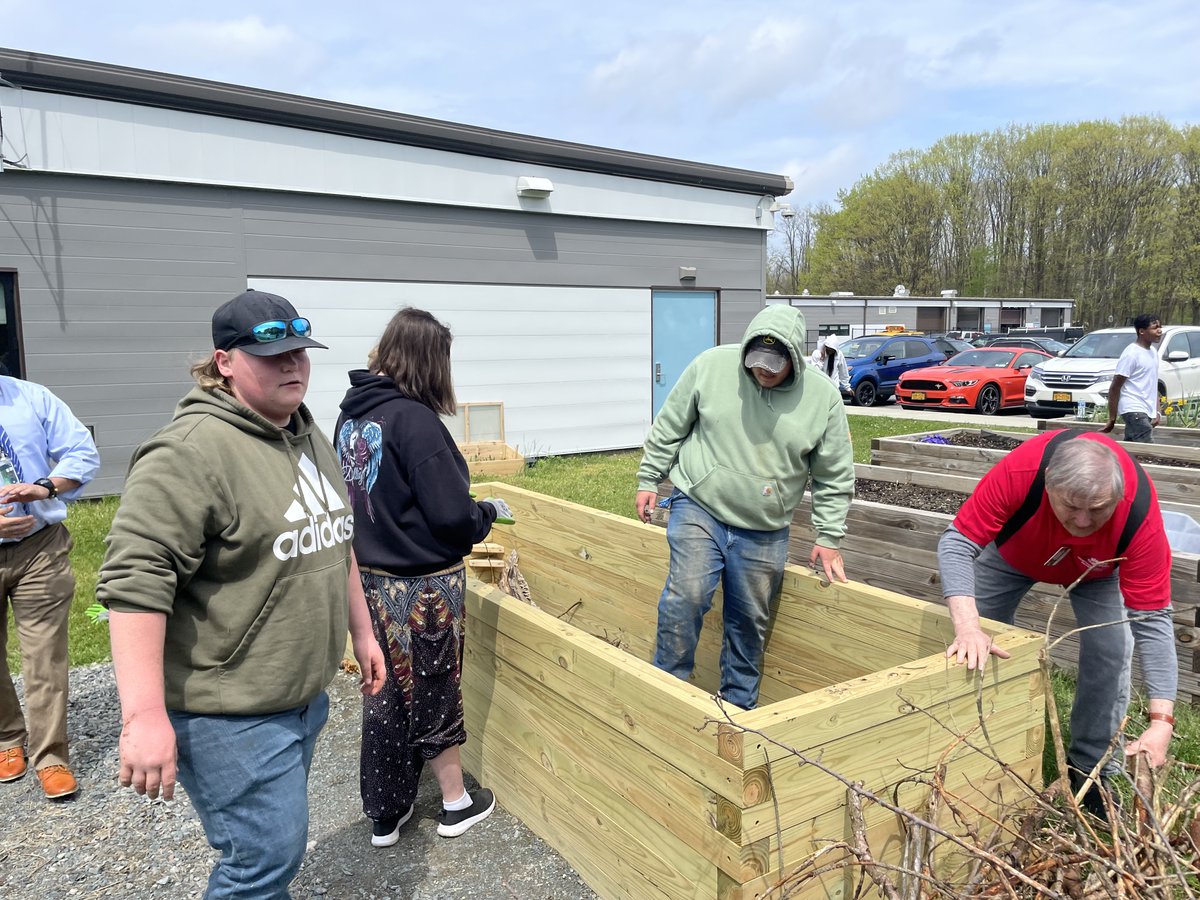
751, 567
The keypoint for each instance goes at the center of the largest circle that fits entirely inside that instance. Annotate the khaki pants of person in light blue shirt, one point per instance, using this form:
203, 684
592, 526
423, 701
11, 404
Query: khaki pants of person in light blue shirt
37, 580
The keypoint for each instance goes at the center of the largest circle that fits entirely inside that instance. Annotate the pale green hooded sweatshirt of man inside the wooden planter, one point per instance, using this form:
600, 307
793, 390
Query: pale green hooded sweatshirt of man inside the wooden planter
746, 453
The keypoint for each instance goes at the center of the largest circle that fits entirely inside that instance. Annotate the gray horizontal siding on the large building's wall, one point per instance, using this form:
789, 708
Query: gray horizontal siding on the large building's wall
118, 279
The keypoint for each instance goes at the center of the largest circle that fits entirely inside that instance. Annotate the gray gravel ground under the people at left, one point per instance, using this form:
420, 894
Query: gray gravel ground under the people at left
110, 843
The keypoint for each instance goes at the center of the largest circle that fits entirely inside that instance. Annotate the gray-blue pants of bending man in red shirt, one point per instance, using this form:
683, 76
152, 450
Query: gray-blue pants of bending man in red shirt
1102, 693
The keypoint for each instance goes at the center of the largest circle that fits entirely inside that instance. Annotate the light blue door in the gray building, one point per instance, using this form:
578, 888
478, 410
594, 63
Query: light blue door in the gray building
683, 325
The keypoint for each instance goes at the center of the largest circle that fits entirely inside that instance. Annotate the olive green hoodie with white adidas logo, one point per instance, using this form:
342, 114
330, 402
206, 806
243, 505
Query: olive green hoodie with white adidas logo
241, 532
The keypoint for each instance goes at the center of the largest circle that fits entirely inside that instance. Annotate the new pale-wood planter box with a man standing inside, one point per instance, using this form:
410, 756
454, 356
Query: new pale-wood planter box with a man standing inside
631, 775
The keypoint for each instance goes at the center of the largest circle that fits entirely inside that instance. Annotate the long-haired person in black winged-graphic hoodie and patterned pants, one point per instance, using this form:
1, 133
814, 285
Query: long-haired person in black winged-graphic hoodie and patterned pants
415, 524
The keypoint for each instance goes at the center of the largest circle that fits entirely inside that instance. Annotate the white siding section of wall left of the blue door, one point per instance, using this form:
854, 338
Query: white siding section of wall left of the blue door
571, 364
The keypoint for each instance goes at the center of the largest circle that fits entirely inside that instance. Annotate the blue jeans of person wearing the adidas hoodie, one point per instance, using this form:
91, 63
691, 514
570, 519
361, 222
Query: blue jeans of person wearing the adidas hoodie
248, 777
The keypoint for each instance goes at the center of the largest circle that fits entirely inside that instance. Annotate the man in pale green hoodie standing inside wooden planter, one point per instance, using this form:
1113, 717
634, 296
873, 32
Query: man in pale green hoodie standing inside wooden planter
741, 435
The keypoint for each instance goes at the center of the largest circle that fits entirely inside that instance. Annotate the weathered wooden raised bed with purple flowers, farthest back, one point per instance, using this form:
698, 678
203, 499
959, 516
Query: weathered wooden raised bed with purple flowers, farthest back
1178, 488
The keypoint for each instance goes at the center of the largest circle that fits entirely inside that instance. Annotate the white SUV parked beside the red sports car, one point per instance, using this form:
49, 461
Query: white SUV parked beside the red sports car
1084, 374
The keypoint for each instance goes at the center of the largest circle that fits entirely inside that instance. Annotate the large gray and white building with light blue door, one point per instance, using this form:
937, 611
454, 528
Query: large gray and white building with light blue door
578, 280
